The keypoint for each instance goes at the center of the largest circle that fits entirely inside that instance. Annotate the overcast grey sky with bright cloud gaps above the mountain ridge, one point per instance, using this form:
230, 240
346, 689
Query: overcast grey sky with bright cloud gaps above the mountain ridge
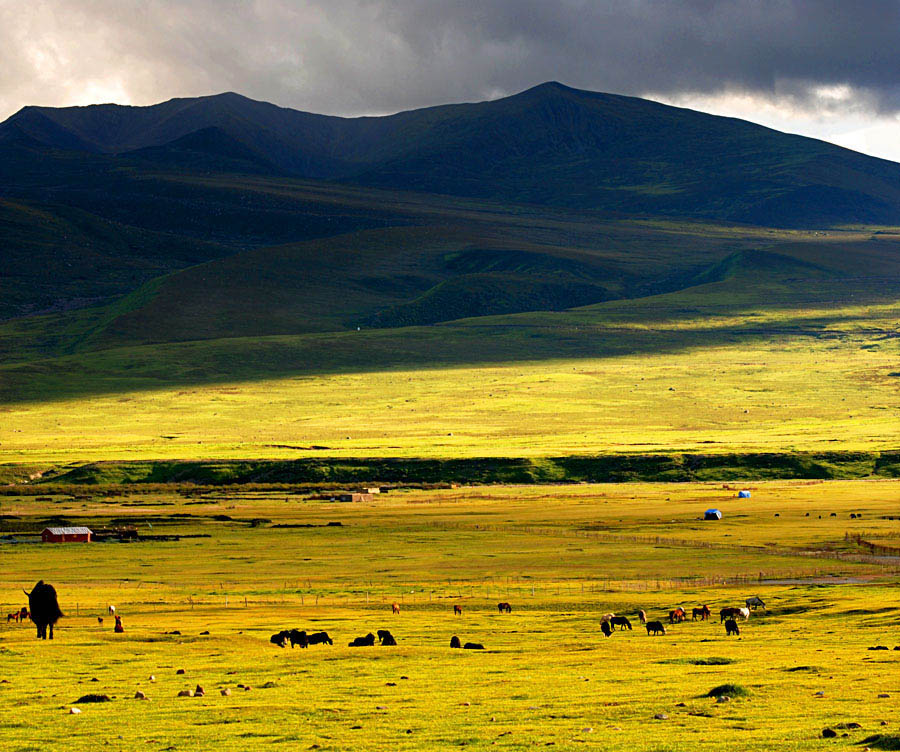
826, 68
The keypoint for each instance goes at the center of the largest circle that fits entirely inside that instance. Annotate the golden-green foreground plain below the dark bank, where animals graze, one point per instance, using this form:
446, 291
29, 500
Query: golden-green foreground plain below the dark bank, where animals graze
562, 555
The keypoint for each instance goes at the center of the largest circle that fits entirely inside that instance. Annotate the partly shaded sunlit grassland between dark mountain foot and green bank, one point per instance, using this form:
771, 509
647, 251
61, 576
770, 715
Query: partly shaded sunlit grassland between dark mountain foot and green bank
675, 385
